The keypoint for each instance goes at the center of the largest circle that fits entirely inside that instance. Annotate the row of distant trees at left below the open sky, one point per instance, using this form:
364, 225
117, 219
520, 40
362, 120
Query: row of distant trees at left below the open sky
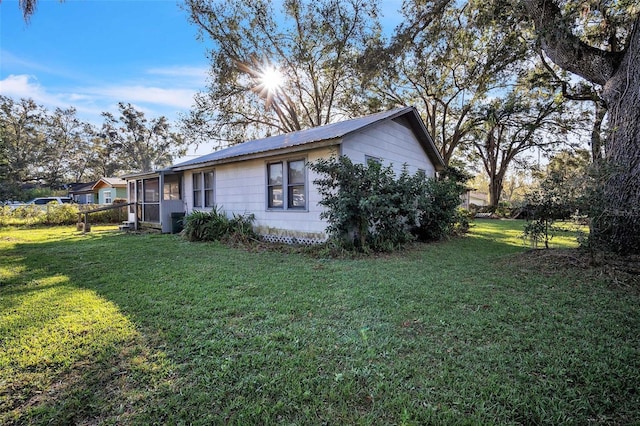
54, 148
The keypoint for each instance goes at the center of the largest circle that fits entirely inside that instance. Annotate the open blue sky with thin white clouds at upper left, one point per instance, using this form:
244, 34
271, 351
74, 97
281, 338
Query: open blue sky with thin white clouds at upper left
92, 54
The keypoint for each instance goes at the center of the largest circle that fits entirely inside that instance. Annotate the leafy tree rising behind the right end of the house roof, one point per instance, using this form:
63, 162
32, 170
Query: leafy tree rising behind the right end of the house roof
447, 58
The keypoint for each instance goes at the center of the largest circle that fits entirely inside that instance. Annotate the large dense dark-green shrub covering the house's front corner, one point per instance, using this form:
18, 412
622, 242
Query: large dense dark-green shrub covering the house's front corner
369, 209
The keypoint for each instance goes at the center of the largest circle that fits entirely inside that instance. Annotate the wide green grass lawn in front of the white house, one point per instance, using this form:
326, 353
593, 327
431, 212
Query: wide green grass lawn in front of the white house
106, 328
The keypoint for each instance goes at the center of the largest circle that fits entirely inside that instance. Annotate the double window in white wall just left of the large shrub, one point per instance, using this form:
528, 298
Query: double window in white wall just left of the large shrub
286, 190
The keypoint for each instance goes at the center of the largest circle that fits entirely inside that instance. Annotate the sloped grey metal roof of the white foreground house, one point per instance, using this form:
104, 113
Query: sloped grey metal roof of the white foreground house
315, 134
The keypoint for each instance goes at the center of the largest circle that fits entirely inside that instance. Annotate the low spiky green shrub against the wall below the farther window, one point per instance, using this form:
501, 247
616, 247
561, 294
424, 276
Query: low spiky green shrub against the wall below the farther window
216, 226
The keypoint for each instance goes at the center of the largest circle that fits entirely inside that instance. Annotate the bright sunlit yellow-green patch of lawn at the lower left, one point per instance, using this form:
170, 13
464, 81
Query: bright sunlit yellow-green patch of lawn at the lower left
67, 354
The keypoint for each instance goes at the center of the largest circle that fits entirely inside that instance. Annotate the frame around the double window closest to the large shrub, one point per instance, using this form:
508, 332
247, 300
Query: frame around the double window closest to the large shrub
286, 187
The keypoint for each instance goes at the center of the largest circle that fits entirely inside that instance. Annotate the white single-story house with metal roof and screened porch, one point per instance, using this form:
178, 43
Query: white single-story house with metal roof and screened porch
269, 178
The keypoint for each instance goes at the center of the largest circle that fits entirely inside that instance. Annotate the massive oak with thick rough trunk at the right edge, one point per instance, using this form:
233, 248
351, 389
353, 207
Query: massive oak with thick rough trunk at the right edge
564, 39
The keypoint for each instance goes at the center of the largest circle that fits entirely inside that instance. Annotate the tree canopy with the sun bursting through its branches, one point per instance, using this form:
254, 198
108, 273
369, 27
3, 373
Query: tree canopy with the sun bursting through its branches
276, 70
